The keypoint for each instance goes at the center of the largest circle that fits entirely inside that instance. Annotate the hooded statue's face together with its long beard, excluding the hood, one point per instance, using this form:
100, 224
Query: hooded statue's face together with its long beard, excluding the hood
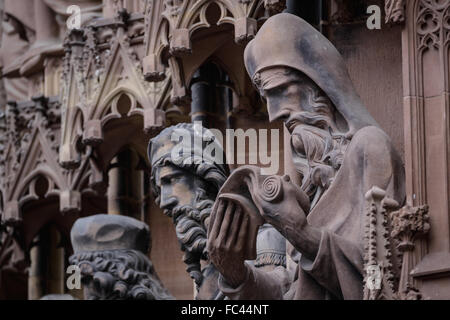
311, 119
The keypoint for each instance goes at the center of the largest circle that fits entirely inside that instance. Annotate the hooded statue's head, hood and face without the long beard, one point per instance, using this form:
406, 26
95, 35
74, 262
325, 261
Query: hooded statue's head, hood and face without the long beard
297, 69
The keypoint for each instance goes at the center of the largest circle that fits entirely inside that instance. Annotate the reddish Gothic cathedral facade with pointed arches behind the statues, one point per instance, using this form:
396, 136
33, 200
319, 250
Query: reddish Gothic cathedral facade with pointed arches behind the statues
87, 84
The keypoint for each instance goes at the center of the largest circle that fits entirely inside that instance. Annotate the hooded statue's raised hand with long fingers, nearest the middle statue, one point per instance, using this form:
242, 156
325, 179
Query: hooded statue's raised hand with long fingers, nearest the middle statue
226, 242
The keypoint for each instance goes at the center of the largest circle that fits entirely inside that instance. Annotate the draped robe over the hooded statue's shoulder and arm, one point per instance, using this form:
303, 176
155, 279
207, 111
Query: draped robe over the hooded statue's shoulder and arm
337, 271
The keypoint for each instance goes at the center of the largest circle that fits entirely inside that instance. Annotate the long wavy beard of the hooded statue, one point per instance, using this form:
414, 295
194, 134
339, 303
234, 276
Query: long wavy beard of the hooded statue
318, 151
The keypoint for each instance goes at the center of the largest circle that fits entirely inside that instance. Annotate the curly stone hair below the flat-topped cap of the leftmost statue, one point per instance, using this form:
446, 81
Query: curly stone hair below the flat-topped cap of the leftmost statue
119, 275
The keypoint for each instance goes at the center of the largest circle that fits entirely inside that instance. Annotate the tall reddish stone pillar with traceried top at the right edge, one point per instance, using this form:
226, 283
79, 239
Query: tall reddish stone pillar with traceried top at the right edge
427, 134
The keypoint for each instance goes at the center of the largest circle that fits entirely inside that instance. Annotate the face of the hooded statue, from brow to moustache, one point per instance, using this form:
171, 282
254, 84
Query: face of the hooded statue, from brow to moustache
287, 93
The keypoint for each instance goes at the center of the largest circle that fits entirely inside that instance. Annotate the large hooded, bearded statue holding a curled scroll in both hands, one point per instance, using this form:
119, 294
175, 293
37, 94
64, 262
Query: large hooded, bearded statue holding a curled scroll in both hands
339, 150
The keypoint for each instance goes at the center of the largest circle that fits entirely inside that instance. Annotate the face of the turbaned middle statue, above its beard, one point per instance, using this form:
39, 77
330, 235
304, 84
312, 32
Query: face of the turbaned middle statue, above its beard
178, 187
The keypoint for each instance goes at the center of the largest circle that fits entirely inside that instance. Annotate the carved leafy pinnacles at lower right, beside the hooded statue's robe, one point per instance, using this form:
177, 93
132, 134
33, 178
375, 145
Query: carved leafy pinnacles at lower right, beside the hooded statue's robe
389, 230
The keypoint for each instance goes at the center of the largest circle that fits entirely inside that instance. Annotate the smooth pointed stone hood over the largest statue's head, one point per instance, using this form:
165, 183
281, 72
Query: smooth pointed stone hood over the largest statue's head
287, 40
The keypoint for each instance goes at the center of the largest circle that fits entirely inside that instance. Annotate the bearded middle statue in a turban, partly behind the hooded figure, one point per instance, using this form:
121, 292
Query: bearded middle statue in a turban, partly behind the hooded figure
186, 187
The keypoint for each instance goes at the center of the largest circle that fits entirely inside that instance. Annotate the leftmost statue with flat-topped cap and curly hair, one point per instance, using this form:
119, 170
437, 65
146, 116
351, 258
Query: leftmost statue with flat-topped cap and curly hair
111, 252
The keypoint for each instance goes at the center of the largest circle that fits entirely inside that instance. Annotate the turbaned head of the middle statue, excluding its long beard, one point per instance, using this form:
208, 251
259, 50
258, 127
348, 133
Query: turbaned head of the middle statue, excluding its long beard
188, 177
